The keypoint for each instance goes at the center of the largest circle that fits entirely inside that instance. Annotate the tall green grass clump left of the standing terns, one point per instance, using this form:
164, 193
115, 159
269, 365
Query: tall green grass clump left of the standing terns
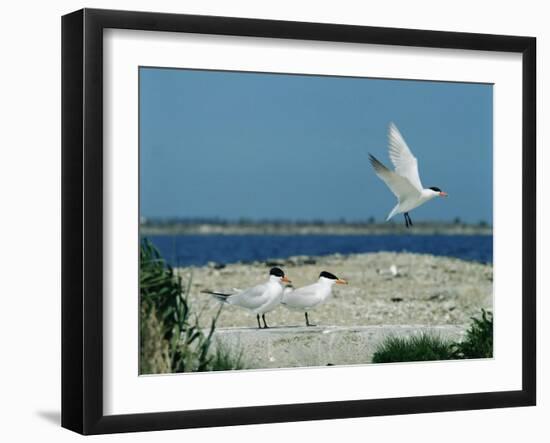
171, 339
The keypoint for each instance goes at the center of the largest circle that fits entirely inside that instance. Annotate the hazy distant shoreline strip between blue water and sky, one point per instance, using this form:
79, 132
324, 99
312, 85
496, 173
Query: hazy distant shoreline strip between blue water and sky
391, 228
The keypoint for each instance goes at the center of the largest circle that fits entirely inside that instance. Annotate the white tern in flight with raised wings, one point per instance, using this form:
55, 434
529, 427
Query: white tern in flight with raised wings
404, 182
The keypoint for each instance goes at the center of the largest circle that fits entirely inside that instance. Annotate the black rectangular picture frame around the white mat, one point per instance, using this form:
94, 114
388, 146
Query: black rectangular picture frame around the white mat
82, 218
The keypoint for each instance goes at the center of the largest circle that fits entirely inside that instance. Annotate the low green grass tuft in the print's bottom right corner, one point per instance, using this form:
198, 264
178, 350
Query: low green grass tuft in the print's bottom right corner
478, 343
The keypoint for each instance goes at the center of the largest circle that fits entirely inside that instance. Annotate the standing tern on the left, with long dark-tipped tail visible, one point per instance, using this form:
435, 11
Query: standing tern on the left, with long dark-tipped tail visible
259, 299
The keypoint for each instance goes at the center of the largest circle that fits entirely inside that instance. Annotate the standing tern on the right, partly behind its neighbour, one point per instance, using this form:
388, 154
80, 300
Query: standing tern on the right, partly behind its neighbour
309, 297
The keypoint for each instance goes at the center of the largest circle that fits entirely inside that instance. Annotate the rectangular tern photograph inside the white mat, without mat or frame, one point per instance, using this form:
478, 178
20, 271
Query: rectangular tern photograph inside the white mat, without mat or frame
292, 220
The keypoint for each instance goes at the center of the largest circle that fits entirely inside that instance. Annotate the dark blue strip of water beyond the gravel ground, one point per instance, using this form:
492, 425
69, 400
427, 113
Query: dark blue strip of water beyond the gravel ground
198, 250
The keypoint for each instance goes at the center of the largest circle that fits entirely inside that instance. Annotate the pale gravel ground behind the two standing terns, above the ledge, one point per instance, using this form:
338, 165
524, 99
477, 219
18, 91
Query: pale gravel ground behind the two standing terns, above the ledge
426, 290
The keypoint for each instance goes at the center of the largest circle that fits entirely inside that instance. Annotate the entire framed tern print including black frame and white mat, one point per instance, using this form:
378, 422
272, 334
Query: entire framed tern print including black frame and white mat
268, 221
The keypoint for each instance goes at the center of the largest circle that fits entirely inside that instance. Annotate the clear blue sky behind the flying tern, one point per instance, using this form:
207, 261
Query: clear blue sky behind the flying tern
254, 145
